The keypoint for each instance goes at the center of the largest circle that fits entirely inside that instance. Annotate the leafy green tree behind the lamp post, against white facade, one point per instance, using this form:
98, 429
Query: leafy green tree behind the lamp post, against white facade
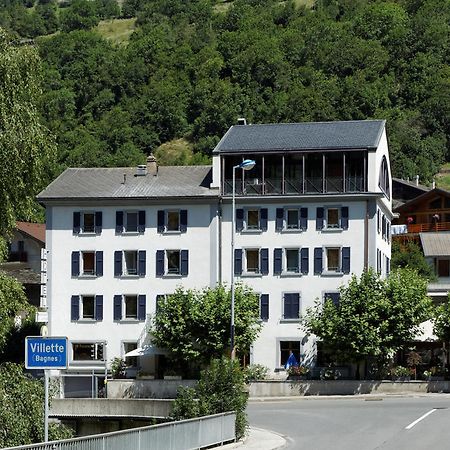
195, 325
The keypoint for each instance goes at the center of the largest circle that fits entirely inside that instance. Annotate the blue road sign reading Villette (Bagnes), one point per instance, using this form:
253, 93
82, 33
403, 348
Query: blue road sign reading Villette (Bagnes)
45, 352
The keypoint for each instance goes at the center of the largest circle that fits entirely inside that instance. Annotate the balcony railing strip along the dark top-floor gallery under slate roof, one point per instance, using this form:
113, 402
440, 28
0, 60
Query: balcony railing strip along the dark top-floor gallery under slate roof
306, 186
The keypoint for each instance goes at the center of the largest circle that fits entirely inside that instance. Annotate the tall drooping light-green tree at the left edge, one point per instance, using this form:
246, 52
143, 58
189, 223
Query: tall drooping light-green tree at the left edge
25, 144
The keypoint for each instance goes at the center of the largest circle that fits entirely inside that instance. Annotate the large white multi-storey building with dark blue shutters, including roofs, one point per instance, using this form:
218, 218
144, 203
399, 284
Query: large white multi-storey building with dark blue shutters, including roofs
314, 210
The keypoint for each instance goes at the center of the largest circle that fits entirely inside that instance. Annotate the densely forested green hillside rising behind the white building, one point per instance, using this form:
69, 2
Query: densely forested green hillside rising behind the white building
192, 67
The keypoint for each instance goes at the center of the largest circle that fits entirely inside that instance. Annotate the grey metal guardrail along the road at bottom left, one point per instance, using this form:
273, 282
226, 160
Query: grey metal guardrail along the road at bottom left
181, 435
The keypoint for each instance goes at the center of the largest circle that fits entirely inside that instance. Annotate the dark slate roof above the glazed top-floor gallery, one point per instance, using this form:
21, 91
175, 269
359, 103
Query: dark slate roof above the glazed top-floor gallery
355, 134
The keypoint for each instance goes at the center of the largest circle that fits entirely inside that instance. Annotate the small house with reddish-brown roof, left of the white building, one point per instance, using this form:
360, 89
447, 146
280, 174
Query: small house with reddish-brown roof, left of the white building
24, 258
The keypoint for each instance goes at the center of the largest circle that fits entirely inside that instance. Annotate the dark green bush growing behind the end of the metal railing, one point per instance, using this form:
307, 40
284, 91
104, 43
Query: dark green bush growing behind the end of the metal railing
221, 389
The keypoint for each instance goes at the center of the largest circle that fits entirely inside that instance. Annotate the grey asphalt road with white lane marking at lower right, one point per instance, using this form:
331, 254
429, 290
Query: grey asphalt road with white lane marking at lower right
391, 423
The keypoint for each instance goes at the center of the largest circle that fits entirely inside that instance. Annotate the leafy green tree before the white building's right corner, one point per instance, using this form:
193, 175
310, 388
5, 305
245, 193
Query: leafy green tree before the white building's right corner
374, 317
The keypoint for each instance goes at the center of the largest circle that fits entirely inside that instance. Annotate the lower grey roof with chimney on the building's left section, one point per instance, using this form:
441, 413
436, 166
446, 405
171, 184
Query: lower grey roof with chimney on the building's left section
122, 183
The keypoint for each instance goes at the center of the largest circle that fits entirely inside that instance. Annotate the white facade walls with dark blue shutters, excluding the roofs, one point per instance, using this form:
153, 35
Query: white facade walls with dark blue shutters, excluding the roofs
343, 232
